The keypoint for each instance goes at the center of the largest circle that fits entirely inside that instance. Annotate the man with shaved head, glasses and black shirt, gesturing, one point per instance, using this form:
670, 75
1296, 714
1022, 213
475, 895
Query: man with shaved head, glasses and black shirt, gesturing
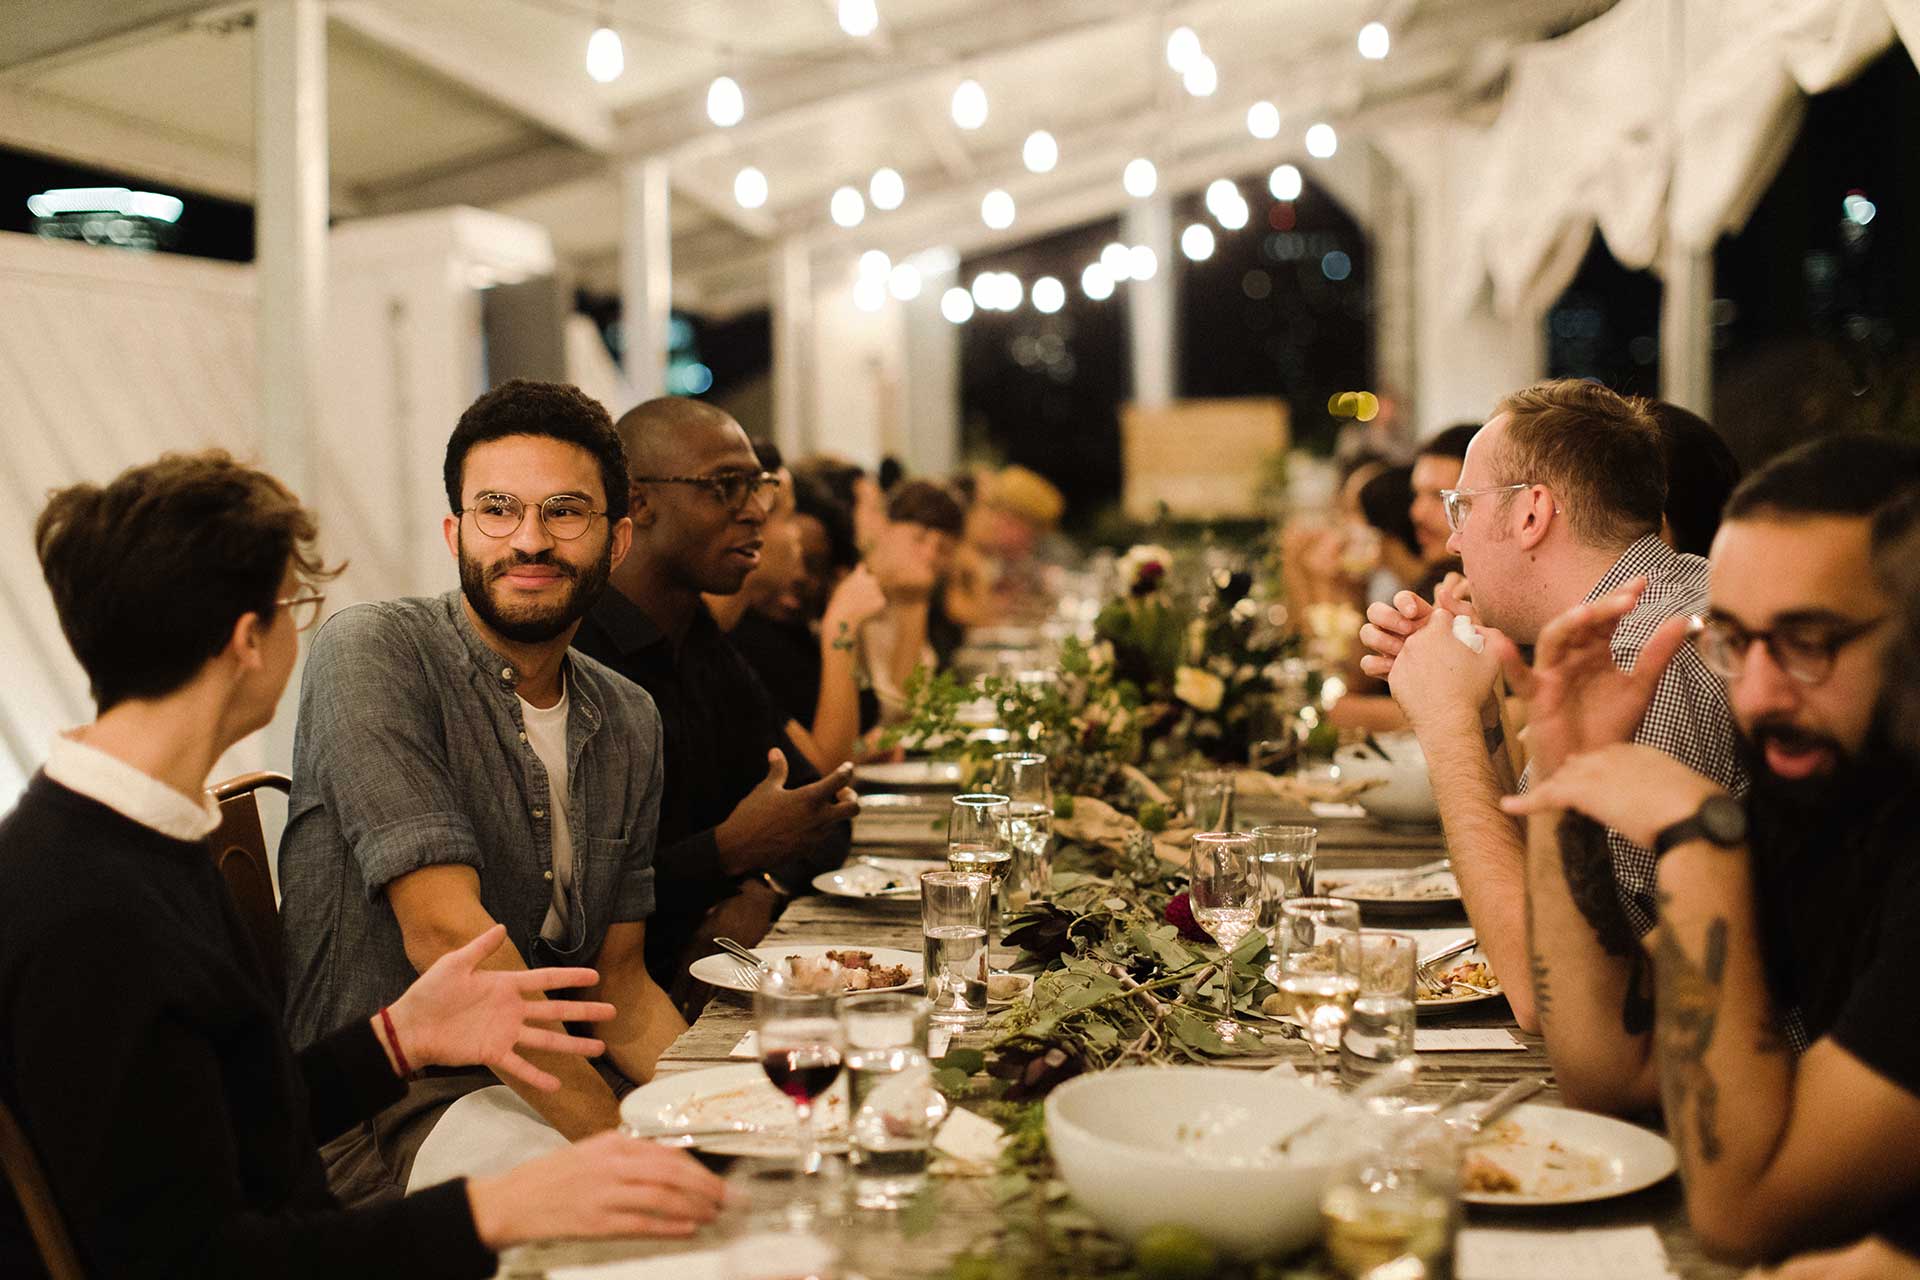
736, 840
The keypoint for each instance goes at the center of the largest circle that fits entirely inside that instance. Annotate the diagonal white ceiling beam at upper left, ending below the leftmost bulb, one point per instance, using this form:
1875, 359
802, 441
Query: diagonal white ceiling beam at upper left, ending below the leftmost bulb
485, 72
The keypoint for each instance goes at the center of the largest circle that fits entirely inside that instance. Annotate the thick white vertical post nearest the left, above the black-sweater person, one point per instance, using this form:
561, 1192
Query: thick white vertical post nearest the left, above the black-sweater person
291, 216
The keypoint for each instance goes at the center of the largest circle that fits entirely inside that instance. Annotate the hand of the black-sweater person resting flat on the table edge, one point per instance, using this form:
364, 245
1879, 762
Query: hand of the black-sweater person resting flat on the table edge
602, 1187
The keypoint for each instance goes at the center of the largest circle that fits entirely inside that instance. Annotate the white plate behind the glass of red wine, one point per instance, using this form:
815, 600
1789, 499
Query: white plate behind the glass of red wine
734, 1095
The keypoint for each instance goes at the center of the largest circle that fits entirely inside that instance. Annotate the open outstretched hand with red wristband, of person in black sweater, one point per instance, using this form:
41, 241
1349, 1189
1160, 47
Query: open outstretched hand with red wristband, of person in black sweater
460, 1014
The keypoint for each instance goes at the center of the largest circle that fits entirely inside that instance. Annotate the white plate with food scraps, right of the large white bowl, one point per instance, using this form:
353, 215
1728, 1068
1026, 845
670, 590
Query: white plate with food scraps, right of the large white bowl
1570, 1158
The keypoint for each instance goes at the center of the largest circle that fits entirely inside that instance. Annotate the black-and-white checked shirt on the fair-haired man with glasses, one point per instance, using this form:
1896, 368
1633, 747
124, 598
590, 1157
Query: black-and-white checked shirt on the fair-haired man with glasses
1689, 717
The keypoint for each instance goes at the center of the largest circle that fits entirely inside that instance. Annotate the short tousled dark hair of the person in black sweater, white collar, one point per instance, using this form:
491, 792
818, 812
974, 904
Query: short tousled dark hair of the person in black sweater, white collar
153, 571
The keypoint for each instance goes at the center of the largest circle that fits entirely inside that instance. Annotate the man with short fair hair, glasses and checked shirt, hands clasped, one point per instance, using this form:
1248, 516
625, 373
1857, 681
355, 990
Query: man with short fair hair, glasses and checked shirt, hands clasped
1560, 504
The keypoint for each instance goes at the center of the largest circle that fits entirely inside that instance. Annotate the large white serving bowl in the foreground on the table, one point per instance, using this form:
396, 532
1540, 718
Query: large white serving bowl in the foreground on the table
1145, 1147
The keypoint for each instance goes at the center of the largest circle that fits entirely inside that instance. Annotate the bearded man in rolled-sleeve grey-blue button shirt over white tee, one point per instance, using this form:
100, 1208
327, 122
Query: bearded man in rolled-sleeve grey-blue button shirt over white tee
458, 767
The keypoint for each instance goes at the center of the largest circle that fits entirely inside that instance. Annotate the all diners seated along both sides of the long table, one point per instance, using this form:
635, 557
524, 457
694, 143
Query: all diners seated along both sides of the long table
631, 730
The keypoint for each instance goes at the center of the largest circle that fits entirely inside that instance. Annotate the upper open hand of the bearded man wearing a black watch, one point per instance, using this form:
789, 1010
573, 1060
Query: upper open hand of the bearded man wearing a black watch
1577, 698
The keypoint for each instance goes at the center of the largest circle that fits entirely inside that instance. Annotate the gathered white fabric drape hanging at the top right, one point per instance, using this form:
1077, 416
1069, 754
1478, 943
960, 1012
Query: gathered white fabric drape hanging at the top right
1658, 122
